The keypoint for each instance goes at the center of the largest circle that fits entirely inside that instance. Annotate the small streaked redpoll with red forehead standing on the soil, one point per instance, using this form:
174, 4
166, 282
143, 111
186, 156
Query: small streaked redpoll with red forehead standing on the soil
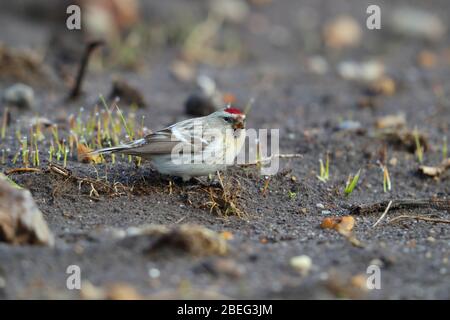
193, 147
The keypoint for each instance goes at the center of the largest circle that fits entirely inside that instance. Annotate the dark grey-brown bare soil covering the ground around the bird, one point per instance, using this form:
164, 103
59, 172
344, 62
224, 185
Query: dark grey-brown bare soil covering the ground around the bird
277, 225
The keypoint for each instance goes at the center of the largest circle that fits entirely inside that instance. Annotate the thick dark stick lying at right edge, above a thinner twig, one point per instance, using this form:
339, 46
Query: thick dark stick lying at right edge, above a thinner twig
438, 204
